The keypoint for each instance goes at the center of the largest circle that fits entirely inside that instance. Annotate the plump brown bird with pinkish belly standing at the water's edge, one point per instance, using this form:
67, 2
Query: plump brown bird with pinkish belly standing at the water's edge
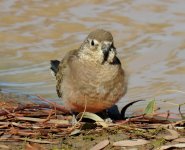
90, 78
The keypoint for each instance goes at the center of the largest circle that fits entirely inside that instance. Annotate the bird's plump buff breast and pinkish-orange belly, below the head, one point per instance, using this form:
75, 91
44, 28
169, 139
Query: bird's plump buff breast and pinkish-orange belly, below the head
98, 87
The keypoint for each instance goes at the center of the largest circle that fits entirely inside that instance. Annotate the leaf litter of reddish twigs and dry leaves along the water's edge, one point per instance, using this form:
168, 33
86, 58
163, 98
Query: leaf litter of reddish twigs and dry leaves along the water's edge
49, 125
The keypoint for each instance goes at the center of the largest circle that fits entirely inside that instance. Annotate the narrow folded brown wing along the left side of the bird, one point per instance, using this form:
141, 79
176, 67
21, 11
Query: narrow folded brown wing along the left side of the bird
61, 69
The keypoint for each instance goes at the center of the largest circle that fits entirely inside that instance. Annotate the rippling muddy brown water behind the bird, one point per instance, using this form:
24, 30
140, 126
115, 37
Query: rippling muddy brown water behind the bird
149, 36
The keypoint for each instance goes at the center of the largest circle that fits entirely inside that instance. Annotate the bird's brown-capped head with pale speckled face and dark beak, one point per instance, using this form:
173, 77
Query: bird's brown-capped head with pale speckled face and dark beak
98, 47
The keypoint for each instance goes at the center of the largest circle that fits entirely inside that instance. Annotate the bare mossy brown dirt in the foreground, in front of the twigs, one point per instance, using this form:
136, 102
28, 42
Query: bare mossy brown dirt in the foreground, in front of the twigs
89, 138
